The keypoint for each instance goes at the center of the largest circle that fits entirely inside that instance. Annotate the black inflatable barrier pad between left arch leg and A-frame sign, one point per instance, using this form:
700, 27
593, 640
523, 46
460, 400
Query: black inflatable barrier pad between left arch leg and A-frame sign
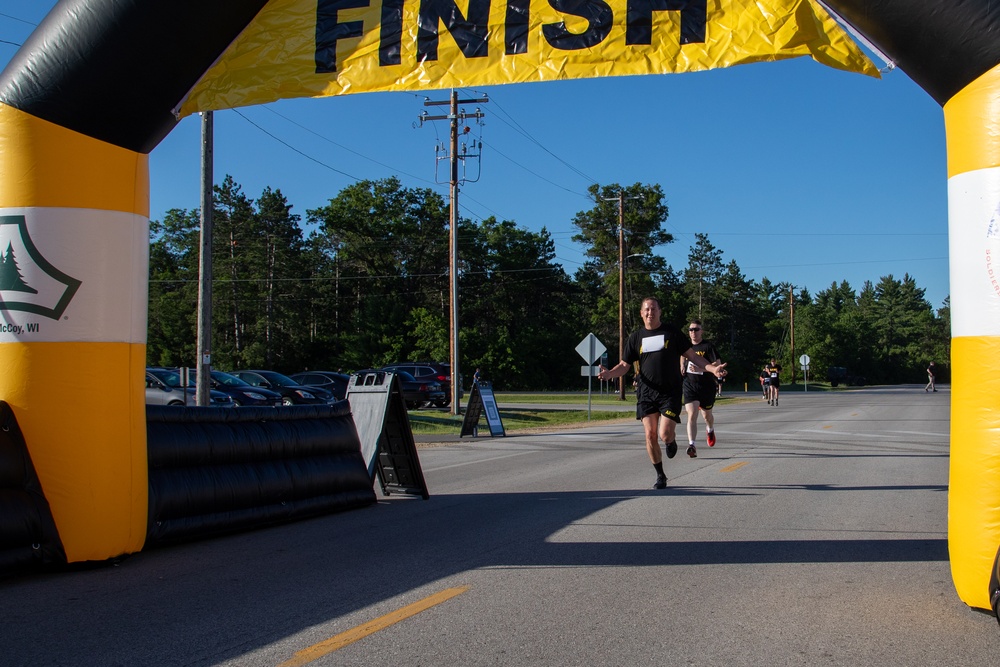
219, 470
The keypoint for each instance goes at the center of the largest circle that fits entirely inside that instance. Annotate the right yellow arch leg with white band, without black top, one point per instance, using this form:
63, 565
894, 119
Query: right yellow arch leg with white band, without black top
972, 120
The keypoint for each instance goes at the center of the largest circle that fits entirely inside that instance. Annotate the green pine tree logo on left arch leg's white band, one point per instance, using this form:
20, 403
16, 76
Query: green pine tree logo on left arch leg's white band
29, 282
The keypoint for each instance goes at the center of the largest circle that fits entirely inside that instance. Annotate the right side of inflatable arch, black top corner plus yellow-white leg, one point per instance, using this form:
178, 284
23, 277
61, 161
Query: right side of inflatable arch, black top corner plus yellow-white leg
951, 50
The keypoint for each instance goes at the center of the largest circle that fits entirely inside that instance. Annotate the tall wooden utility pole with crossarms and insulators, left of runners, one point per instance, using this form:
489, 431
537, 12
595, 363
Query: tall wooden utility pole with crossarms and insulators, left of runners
453, 157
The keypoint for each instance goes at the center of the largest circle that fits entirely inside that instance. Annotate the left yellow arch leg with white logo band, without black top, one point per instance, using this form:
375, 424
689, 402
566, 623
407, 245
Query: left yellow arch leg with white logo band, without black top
74, 217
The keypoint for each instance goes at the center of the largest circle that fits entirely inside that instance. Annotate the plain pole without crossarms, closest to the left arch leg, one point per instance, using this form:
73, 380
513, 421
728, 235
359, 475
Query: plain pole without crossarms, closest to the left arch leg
203, 384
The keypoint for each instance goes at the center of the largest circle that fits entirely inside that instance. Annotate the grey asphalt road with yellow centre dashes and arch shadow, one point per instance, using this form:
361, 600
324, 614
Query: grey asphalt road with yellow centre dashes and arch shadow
814, 533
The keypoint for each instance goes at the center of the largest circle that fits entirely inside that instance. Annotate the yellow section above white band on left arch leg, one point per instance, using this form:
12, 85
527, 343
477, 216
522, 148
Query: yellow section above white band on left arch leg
80, 172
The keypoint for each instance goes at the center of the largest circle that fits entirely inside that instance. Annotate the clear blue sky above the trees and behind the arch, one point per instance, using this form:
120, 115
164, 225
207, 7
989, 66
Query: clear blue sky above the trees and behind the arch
799, 172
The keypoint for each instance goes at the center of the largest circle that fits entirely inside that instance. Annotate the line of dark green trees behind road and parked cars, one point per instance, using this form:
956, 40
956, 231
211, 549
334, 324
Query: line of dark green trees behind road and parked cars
369, 286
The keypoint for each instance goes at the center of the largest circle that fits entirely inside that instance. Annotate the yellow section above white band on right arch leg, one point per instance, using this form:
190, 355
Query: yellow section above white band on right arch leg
968, 117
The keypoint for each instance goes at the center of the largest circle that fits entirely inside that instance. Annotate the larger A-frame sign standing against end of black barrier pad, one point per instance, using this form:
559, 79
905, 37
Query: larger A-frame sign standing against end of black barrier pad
383, 424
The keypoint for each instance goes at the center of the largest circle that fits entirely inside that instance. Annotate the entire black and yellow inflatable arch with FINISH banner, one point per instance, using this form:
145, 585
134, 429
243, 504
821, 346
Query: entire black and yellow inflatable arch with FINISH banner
93, 91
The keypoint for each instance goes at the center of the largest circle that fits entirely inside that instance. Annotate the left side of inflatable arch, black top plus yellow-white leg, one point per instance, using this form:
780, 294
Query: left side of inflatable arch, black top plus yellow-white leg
83, 103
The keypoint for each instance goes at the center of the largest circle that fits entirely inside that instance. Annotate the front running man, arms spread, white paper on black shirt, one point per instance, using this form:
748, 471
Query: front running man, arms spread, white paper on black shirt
656, 349
